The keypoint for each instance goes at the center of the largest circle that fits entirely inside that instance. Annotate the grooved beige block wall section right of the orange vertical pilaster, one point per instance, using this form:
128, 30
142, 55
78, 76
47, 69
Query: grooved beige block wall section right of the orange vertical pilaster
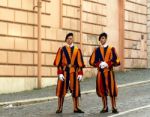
135, 28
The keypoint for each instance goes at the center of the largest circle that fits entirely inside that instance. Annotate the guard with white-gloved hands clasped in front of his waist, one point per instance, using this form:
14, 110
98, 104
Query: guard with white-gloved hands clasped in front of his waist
104, 58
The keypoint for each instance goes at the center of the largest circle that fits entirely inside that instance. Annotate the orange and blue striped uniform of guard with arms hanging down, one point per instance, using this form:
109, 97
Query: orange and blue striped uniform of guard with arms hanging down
69, 62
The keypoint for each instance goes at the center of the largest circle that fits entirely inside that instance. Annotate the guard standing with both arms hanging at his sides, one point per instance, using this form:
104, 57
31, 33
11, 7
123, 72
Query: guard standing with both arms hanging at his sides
69, 62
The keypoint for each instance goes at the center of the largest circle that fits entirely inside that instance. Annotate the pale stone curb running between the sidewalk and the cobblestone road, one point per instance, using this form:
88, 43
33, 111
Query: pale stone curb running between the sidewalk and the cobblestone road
45, 99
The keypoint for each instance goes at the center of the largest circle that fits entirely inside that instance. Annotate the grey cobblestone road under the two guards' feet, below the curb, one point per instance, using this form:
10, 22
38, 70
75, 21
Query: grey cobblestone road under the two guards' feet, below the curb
129, 98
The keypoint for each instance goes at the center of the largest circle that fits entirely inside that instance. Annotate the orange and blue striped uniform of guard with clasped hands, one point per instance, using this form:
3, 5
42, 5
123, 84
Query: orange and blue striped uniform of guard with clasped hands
105, 82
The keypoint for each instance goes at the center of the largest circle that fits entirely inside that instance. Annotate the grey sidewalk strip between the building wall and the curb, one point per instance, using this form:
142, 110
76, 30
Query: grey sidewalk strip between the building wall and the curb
87, 84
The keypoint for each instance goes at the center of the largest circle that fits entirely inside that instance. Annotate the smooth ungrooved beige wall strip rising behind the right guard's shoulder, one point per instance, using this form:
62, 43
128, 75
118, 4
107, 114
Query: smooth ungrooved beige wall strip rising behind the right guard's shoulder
112, 23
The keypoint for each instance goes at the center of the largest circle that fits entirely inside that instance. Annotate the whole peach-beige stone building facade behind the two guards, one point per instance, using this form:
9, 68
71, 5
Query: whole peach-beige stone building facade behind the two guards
125, 21
